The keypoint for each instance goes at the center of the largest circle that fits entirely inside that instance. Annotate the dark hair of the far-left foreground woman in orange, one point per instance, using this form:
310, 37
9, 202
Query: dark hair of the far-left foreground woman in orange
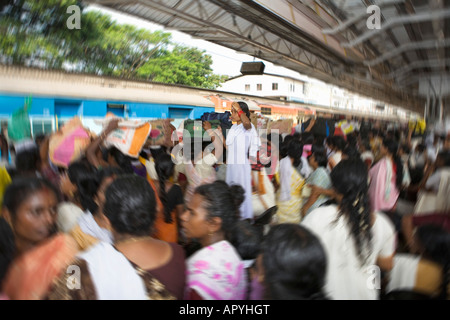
21, 188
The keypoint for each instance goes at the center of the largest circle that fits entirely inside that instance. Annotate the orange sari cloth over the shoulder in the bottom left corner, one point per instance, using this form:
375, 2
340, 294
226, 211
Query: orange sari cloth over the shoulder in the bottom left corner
31, 275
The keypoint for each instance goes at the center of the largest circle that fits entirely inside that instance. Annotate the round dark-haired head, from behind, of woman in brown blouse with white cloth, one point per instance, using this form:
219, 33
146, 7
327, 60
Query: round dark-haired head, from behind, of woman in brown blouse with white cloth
130, 205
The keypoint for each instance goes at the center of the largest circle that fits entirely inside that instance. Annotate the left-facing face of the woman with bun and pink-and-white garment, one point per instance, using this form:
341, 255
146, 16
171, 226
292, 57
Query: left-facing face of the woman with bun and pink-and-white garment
194, 219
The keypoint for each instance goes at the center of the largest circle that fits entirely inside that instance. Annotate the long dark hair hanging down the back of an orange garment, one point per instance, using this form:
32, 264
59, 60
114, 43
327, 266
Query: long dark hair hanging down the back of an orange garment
165, 168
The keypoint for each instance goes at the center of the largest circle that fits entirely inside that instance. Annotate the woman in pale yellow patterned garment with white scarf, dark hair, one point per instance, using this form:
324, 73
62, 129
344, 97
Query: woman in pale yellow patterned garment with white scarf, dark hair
289, 195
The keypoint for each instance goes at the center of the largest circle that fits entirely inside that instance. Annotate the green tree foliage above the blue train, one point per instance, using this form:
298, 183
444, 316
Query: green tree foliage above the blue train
34, 33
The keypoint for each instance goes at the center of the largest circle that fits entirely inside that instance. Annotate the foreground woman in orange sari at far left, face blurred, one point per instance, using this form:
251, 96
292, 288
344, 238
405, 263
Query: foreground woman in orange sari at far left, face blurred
41, 254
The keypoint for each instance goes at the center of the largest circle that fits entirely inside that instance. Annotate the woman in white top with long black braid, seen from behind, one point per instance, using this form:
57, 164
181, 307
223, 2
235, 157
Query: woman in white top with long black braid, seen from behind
357, 240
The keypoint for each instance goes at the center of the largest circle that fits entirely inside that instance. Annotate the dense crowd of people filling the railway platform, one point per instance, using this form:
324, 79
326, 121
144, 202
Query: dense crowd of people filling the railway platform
247, 216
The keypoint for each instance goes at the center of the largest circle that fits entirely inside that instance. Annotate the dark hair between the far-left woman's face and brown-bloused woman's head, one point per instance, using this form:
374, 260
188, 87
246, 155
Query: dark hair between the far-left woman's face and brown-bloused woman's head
84, 176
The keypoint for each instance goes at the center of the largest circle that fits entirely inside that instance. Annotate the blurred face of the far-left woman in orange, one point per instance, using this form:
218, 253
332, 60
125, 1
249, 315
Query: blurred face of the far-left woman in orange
35, 218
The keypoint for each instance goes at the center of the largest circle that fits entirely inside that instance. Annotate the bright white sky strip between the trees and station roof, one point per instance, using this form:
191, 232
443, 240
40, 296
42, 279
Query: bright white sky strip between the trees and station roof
225, 61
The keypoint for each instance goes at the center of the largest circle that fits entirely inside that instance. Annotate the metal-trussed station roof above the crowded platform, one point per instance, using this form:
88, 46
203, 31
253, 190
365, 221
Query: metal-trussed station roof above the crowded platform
402, 61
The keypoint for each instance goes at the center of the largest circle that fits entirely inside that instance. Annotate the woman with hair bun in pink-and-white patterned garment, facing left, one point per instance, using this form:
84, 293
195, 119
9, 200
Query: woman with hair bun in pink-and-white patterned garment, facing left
216, 271
